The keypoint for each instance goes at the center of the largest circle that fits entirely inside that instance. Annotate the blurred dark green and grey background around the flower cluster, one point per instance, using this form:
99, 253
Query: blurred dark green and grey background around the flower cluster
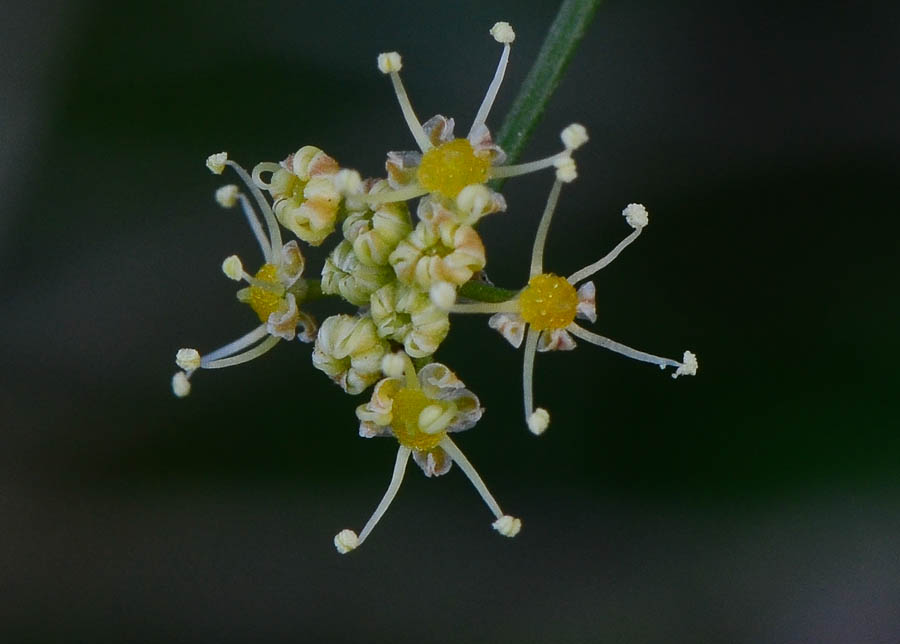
757, 502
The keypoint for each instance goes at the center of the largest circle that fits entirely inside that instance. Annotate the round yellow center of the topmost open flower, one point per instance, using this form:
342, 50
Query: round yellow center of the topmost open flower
452, 166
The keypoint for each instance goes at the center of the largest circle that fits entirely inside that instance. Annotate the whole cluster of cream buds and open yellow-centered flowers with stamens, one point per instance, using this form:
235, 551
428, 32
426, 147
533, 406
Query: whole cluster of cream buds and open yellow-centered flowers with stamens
406, 275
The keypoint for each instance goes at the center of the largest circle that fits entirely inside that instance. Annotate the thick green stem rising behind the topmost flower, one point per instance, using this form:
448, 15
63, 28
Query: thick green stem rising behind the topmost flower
566, 32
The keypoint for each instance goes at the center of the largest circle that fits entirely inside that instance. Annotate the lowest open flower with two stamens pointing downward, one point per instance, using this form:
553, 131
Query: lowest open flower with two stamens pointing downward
420, 409
